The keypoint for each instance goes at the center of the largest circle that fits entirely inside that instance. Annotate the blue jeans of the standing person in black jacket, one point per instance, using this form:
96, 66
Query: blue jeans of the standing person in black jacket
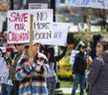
78, 79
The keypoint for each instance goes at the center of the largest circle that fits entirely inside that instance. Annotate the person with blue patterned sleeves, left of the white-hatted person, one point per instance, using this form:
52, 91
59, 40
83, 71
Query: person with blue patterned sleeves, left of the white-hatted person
23, 75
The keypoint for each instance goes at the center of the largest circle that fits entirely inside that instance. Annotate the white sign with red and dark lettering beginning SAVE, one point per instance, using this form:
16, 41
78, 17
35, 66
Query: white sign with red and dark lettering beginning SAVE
18, 26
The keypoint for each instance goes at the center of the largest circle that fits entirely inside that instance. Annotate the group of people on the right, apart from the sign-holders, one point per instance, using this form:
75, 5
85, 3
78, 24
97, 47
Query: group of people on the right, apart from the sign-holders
91, 73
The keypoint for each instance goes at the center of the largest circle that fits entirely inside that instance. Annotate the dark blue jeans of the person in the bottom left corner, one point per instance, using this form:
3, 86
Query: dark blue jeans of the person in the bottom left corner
6, 89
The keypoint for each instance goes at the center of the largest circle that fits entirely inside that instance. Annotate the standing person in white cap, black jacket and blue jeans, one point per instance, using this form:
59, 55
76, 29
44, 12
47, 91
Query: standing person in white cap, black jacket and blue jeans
79, 68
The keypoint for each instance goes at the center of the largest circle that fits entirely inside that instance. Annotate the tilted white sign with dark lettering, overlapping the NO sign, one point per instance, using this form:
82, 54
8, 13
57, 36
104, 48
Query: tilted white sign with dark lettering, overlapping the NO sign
57, 34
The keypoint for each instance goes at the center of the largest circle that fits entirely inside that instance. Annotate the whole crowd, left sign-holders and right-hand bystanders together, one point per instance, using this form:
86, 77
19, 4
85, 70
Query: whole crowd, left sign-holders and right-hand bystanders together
22, 74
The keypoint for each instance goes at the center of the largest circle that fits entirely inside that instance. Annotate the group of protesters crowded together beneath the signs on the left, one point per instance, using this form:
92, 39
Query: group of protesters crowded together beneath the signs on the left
21, 74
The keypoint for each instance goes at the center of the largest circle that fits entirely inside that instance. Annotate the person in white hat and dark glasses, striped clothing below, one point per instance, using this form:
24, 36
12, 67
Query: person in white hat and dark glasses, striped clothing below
39, 74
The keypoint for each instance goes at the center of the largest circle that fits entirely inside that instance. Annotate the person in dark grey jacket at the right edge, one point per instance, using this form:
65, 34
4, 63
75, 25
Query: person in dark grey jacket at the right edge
98, 79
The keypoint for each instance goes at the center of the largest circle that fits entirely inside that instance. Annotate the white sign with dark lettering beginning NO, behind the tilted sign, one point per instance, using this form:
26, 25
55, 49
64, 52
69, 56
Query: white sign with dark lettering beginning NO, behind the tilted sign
42, 18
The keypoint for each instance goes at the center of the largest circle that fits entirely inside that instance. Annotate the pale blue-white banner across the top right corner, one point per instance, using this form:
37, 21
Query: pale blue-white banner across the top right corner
100, 4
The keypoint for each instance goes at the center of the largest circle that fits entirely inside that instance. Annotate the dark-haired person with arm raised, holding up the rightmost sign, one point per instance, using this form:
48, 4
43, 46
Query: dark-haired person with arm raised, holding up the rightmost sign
52, 62
